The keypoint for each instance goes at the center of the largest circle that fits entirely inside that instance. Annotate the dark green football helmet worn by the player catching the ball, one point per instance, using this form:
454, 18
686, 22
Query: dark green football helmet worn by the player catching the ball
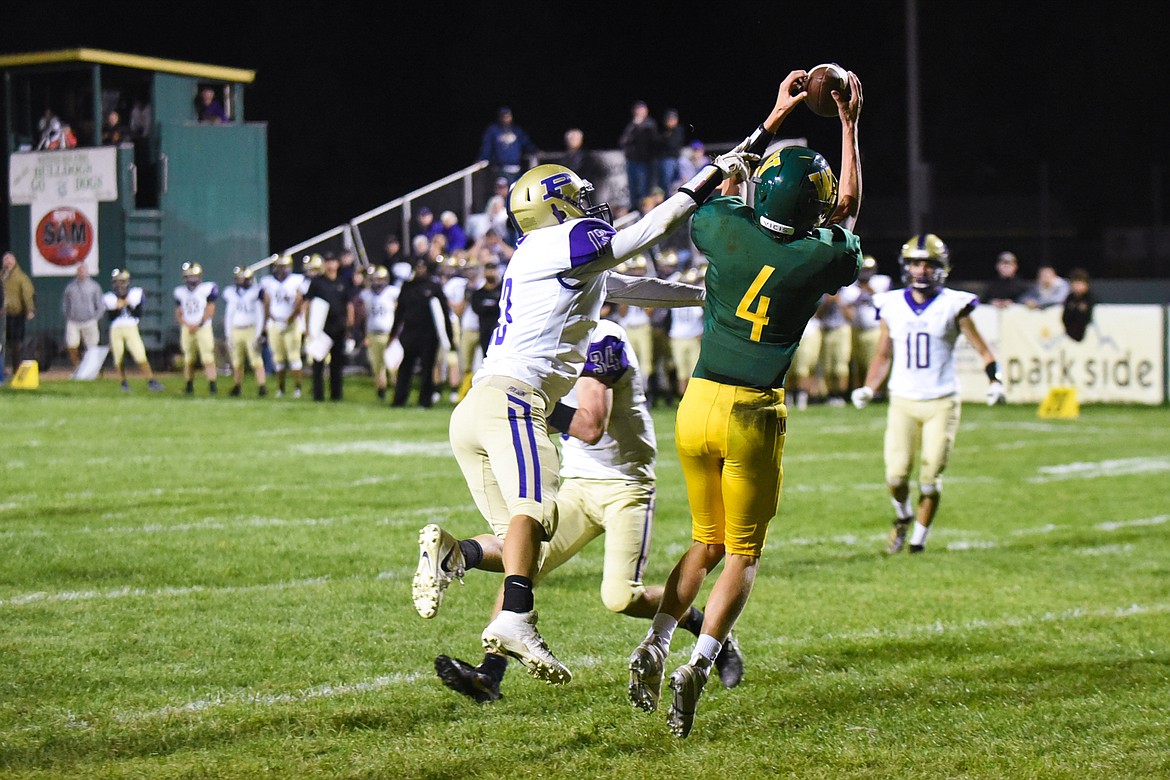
796, 191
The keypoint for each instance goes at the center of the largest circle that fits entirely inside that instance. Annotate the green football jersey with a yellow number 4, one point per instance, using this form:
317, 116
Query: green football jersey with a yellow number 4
762, 291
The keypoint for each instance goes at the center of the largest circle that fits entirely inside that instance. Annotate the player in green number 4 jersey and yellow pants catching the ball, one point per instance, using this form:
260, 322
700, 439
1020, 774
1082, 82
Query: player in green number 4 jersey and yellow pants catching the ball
770, 265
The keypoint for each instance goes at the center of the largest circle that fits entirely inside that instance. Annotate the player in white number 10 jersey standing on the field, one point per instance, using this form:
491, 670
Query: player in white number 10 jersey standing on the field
917, 340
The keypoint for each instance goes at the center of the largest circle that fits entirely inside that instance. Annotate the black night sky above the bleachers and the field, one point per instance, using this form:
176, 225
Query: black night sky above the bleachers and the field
362, 111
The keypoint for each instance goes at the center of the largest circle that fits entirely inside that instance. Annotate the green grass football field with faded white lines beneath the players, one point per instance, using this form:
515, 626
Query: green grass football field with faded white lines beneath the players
221, 589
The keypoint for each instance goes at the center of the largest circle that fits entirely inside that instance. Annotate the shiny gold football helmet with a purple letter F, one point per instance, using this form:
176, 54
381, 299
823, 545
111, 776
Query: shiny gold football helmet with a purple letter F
552, 195
